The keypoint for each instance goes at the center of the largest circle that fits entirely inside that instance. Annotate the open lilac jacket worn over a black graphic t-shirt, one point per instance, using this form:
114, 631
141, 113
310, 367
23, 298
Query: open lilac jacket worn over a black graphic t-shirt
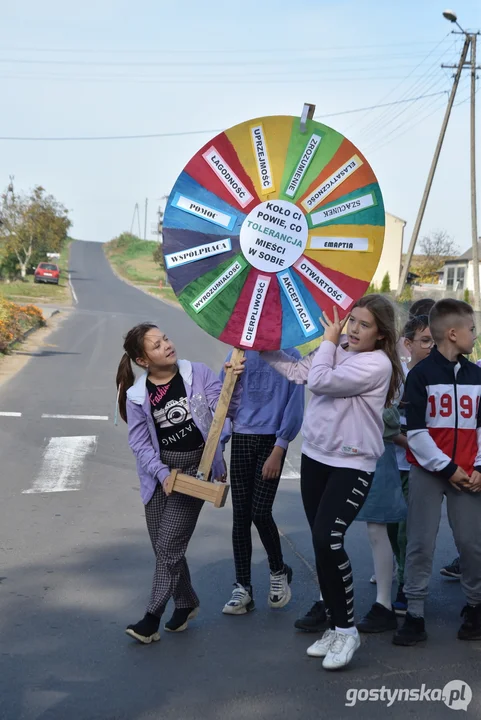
203, 389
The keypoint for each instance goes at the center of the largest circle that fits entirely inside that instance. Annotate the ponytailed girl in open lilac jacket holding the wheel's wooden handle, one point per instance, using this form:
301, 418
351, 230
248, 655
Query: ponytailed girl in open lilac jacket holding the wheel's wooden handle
168, 410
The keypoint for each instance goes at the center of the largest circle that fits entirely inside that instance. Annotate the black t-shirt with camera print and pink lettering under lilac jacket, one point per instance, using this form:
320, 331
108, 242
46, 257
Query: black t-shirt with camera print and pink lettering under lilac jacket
175, 427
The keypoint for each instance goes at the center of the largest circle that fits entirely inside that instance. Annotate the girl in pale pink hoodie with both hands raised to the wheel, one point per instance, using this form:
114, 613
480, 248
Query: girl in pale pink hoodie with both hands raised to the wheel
351, 381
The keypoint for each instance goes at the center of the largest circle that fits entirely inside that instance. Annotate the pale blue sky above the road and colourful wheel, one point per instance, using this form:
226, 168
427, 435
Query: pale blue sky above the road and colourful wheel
112, 67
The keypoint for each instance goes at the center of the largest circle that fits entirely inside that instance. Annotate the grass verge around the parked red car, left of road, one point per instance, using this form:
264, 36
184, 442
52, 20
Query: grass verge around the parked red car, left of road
24, 291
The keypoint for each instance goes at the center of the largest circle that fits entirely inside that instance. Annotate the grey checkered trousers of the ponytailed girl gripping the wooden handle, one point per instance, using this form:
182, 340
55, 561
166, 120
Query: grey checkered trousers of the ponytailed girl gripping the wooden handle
171, 521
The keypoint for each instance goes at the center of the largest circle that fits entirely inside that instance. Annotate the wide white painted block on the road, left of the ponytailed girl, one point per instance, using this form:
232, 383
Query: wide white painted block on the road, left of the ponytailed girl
63, 459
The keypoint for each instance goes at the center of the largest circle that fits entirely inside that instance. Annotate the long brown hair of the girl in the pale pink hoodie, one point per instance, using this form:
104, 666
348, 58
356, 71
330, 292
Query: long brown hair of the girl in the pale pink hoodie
384, 315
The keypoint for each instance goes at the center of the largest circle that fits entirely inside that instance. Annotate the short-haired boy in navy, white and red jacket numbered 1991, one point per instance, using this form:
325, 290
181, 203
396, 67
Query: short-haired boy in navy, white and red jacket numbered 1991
443, 416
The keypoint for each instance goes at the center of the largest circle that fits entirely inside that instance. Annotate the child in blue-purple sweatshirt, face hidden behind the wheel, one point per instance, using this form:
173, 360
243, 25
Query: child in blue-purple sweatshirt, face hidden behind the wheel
269, 417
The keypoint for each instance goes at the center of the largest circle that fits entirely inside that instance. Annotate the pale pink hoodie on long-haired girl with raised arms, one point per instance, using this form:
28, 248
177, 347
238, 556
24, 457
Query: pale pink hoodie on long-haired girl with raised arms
343, 424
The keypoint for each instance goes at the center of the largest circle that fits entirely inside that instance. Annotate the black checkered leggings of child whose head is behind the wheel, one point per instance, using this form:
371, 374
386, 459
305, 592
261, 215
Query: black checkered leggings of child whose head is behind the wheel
252, 501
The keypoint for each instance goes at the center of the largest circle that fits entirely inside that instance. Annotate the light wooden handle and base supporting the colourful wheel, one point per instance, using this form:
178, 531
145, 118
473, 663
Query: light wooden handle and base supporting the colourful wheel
200, 486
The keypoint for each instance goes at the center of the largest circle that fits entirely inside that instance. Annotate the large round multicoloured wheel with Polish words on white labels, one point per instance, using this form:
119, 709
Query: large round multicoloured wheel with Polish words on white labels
267, 226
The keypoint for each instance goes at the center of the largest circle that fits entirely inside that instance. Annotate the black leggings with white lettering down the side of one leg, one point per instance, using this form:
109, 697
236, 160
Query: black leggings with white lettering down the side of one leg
332, 498
